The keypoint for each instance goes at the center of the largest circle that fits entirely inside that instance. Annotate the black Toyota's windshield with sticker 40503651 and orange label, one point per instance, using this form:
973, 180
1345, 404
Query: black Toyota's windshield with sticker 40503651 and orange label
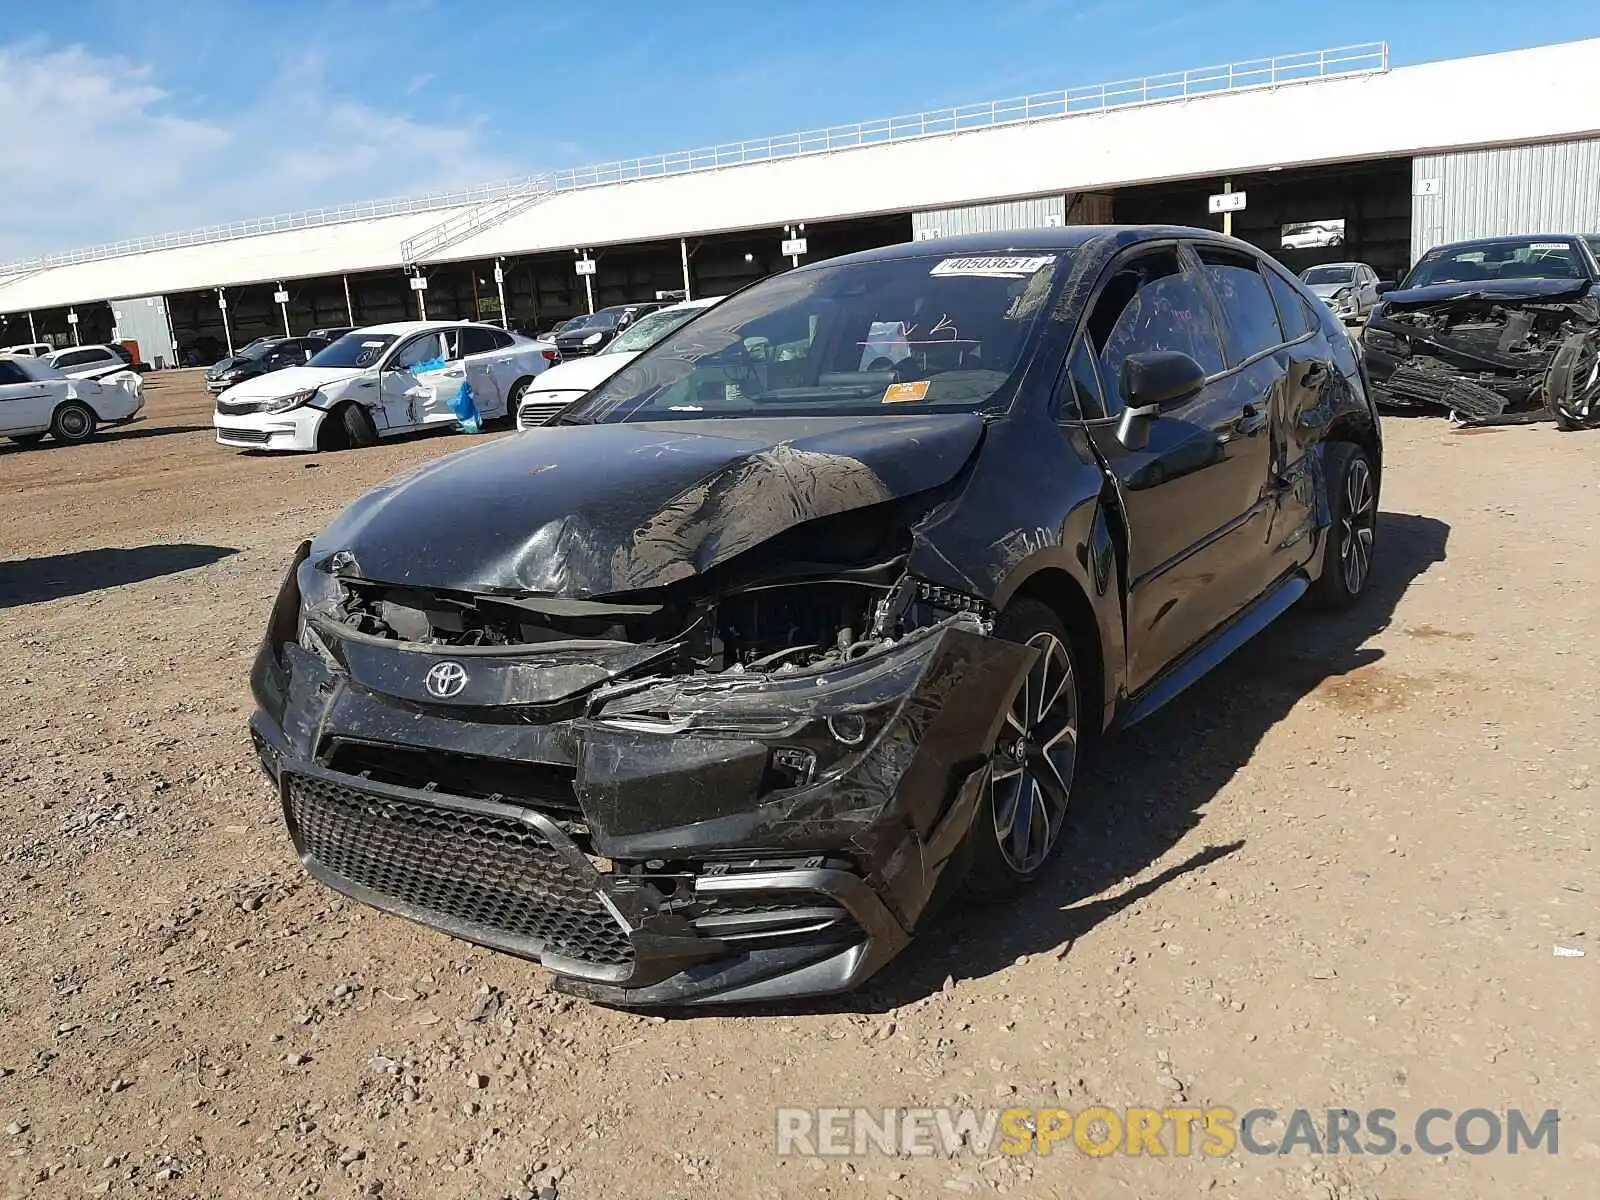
852, 338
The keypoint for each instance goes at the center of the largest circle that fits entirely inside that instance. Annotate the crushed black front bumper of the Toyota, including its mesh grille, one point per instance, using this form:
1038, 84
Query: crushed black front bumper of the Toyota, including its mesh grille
647, 860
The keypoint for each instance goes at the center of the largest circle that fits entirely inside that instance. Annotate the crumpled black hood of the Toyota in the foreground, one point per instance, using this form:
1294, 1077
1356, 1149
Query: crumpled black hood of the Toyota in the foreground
586, 511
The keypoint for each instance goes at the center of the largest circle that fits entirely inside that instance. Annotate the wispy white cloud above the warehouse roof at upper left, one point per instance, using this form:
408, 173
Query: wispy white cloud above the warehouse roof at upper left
102, 150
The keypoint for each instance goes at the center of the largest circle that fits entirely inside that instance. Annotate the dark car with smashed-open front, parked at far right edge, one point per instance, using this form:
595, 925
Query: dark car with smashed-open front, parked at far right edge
1503, 329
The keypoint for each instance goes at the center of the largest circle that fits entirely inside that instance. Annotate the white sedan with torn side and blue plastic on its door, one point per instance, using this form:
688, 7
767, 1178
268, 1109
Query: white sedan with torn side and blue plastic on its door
382, 382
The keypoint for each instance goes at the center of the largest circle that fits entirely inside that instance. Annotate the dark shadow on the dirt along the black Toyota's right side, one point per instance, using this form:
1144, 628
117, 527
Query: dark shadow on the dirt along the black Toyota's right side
1150, 788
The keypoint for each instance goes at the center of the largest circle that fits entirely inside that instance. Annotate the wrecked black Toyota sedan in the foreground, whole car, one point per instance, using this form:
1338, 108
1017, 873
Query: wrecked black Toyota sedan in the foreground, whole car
801, 623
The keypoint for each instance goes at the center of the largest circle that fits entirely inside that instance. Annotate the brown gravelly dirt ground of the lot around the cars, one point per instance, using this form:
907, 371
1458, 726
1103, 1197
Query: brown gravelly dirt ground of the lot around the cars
1332, 876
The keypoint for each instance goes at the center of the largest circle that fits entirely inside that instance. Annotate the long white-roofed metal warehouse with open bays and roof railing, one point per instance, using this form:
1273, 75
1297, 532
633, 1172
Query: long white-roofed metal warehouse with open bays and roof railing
1396, 159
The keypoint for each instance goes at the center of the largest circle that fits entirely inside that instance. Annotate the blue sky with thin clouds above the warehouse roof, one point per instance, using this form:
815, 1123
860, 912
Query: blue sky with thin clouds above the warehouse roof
148, 118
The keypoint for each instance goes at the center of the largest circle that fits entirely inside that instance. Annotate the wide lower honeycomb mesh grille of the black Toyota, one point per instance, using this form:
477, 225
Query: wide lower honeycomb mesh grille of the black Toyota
495, 876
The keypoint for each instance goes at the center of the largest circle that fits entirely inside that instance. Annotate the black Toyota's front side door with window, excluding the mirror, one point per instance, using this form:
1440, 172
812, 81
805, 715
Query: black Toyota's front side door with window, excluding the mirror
1193, 494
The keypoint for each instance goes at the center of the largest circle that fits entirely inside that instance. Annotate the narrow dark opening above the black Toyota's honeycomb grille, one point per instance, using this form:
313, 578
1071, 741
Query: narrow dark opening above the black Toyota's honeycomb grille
542, 786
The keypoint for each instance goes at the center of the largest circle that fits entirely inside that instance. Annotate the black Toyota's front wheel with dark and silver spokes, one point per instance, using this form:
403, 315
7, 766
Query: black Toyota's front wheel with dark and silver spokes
1018, 828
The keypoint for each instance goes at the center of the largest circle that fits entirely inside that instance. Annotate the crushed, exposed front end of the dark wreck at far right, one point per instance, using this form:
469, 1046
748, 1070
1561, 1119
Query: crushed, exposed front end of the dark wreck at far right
1494, 362
